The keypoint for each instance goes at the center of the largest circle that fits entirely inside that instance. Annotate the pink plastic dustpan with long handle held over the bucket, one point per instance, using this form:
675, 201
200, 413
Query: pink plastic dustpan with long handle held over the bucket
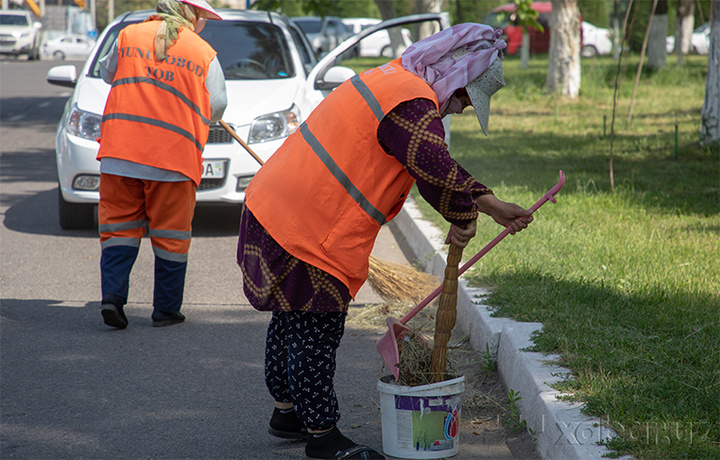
397, 329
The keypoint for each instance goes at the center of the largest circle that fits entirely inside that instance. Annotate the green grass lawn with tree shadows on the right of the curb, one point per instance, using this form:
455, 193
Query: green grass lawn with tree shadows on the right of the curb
625, 282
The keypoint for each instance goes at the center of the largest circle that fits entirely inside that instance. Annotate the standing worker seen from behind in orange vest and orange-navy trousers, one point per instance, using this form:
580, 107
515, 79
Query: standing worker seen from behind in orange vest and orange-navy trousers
167, 88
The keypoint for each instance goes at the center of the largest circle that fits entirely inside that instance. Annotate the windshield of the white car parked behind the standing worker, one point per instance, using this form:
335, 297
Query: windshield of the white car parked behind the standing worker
246, 50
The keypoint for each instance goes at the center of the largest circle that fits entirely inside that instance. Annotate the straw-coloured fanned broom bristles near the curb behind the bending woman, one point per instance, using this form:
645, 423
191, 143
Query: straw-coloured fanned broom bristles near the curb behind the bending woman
398, 282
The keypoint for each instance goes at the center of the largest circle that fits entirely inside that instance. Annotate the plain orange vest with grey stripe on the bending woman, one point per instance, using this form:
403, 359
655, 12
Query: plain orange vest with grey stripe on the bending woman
324, 194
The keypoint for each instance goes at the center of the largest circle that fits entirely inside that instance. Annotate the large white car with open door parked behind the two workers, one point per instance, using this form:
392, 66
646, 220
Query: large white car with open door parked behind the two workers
273, 83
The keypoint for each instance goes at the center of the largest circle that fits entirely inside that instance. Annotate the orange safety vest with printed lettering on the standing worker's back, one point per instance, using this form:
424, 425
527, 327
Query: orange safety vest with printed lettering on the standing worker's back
158, 113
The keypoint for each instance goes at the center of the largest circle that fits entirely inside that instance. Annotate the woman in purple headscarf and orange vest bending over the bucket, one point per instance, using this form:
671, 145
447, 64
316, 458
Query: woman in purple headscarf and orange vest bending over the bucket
314, 209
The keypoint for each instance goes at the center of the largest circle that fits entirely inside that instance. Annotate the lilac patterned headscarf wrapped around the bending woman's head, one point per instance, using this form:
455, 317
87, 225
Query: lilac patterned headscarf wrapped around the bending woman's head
432, 58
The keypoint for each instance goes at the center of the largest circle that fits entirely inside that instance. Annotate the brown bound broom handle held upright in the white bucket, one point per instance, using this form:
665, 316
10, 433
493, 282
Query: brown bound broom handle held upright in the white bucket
446, 314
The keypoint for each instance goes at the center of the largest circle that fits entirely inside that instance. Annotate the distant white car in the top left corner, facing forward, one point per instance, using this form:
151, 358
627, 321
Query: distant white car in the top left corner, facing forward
19, 34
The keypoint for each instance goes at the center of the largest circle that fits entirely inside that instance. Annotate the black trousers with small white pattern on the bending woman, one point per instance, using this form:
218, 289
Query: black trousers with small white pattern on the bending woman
300, 364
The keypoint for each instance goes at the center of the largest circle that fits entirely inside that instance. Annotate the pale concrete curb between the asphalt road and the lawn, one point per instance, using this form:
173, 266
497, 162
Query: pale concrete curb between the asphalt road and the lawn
560, 429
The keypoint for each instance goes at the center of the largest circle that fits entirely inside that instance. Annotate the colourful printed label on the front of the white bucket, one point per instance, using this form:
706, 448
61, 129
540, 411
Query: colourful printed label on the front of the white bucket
428, 424
